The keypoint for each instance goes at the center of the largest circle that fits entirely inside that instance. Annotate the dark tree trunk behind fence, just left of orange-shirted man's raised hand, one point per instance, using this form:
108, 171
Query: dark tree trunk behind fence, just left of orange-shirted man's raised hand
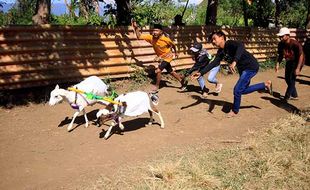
123, 12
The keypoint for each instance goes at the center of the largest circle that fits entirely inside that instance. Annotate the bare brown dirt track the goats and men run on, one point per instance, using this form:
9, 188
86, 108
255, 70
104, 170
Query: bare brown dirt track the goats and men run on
37, 152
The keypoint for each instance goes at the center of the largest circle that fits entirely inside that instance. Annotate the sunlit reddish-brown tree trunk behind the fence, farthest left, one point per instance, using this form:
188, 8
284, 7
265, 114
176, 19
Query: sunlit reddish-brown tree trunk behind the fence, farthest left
43, 11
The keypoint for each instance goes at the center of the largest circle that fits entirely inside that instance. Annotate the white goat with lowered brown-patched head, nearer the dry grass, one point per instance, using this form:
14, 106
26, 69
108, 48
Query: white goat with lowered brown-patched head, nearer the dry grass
131, 104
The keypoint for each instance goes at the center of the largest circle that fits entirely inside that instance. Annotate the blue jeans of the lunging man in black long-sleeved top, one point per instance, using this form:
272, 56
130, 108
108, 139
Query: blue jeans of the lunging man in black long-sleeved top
242, 87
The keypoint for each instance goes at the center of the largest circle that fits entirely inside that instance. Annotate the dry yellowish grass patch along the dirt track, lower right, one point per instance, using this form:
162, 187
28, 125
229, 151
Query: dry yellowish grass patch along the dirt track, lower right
277, 157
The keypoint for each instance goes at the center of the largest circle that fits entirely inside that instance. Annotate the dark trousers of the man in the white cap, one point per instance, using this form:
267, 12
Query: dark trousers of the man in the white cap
290, 79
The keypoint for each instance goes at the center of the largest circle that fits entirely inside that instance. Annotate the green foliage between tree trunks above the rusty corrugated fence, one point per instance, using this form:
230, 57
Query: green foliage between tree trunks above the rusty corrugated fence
293, 13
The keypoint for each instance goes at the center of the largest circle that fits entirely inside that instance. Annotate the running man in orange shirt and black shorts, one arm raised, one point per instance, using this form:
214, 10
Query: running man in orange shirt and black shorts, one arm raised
162, 46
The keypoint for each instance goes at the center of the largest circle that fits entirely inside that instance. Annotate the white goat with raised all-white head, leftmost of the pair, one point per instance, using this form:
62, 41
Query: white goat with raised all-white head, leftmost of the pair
78, 101
